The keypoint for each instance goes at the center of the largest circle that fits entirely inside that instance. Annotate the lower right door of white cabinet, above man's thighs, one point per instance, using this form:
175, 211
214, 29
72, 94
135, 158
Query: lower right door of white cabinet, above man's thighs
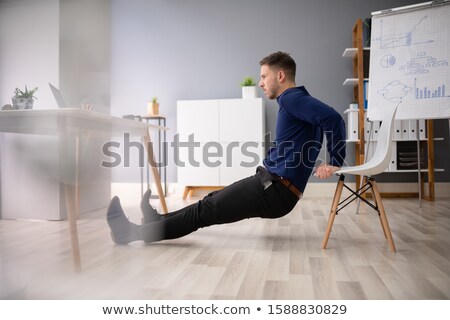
239, 161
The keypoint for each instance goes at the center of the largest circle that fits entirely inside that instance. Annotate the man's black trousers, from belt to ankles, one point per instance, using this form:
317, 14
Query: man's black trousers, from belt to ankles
261, 195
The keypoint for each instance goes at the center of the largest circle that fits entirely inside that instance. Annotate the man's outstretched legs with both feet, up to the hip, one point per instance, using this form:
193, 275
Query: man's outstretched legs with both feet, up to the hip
231, 204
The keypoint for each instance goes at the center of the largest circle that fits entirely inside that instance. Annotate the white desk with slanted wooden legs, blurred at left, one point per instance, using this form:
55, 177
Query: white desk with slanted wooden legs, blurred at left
68, 125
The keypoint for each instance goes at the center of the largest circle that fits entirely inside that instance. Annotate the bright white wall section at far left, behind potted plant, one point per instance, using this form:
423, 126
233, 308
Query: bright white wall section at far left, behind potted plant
29, 48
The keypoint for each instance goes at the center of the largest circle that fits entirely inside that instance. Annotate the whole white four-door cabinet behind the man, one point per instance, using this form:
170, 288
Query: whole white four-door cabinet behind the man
221, 141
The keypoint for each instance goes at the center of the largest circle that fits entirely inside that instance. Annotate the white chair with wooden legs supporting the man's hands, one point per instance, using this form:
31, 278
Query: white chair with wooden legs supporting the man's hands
376, 165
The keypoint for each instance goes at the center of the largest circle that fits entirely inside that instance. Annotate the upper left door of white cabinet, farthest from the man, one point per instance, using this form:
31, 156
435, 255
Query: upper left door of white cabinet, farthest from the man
200, 118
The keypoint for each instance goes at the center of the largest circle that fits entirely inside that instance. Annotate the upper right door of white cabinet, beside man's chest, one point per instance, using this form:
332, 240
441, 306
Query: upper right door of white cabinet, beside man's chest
241, 120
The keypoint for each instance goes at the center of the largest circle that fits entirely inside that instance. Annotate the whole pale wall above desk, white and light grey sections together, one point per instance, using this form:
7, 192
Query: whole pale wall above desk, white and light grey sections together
64, 42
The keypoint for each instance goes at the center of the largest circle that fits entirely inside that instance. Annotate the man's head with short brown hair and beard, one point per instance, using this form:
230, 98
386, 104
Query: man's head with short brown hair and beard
277, 74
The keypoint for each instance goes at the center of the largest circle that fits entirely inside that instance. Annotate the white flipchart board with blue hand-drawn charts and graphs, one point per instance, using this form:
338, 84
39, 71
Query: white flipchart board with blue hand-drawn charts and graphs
409, 62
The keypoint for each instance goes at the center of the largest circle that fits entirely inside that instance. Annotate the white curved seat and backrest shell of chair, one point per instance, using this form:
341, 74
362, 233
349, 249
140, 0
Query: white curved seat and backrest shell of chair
382, 154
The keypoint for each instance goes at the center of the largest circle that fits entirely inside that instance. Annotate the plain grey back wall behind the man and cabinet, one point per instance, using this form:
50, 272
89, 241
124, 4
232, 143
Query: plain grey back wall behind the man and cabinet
200, 49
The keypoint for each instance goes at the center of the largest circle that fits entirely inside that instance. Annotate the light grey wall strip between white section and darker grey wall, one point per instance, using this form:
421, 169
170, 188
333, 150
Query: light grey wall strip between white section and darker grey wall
85, 33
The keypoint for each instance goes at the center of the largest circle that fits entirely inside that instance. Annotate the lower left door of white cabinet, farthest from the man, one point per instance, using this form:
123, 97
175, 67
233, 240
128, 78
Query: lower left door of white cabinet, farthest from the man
196, 167
